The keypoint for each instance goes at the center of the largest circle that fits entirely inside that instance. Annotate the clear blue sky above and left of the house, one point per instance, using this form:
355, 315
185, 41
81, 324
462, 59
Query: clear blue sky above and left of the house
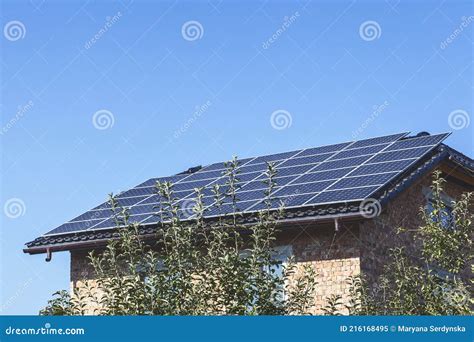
168, 98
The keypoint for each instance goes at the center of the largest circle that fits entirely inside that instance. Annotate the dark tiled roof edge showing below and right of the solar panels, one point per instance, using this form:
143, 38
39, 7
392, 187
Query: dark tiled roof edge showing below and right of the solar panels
448, 160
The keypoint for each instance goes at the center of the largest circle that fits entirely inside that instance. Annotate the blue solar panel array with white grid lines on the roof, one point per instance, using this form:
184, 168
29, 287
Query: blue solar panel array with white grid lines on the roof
345, 172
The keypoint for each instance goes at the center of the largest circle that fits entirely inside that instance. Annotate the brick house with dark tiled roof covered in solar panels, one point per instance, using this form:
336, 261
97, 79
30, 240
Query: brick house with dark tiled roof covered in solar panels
343, 204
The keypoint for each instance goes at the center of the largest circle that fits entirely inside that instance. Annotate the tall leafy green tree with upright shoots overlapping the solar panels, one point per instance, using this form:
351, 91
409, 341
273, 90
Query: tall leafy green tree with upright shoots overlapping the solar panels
194, 267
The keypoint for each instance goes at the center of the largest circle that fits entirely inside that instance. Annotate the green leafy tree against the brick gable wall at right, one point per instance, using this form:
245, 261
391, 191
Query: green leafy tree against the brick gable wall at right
434, 282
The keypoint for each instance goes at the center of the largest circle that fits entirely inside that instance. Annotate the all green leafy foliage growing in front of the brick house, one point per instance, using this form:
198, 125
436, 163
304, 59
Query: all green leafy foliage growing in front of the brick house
226, 268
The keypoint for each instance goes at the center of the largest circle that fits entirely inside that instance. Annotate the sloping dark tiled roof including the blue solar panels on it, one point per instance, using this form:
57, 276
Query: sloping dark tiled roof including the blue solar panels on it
314, 183
